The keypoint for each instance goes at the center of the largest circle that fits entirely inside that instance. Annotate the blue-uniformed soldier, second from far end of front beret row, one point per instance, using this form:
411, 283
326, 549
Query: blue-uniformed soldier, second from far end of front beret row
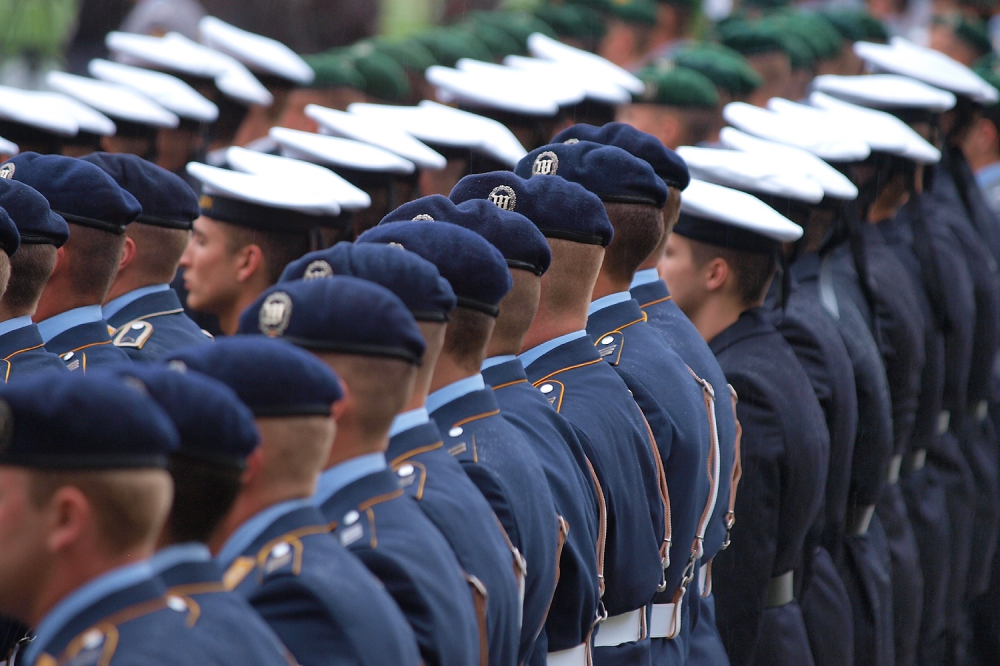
670, 396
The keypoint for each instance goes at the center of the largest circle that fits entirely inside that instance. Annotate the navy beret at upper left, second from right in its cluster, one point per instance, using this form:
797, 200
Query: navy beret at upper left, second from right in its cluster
79, 191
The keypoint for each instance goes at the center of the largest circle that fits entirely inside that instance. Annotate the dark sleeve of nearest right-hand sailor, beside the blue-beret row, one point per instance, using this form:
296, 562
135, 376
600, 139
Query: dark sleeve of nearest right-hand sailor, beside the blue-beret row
742, 571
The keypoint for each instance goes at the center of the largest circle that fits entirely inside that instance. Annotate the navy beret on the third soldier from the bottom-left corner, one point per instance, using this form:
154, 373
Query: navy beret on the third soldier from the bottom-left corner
272, 378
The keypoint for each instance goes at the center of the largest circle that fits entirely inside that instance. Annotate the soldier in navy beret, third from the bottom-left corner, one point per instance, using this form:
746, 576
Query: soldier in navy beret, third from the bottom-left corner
272, 544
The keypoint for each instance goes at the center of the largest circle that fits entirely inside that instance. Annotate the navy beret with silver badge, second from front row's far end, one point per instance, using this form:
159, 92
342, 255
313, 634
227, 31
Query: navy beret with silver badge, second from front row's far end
609, 172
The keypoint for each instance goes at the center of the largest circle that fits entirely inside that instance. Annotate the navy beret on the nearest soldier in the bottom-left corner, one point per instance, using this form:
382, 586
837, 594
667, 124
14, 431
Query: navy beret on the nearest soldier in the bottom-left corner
70, 421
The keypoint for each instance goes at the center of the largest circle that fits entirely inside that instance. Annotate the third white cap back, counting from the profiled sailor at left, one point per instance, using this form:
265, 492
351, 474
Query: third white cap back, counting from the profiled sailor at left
337, 152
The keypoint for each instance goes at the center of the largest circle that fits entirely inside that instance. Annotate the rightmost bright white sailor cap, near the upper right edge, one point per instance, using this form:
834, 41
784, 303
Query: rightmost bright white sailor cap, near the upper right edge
901, 56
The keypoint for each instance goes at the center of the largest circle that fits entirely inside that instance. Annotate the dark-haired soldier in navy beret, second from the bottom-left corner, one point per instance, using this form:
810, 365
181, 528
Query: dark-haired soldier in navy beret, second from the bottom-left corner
217, 435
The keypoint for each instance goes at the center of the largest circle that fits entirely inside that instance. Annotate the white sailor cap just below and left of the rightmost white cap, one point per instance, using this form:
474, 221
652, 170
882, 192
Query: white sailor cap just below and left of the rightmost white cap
882, 91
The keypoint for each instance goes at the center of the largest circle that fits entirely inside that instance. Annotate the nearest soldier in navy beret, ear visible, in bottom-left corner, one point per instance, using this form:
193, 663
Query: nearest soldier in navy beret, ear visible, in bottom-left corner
86, 495
